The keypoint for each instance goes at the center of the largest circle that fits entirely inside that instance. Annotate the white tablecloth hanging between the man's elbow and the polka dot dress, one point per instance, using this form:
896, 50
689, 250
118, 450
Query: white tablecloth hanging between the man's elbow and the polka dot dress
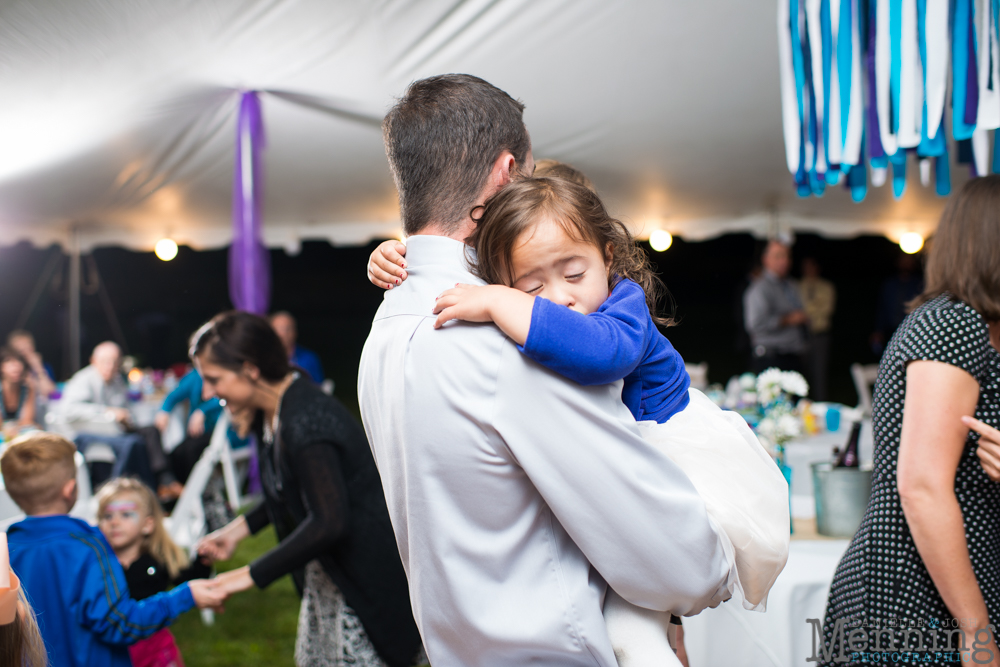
730, 636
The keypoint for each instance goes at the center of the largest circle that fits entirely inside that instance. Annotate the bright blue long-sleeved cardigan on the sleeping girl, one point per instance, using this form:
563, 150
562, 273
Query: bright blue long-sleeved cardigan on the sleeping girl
618, 341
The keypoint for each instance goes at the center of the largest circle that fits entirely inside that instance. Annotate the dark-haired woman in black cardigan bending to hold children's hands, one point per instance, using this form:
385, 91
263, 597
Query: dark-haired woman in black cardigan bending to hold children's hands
323, 495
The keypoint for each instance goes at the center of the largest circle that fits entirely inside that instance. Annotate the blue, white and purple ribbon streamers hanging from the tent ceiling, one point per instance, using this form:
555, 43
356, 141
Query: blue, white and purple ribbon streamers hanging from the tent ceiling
864, 83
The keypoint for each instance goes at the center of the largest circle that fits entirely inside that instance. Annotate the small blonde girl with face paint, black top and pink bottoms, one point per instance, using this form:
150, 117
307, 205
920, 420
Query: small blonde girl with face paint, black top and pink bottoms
130, 517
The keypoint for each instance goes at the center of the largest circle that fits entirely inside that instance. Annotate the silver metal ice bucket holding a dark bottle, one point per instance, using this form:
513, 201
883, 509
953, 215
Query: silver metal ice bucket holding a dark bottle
841, 498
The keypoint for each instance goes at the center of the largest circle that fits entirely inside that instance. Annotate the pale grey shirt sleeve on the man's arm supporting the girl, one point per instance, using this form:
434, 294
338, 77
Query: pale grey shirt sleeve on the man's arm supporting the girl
632, 512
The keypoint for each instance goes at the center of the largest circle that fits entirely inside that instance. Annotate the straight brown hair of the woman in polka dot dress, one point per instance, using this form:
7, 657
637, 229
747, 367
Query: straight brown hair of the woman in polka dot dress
964, 258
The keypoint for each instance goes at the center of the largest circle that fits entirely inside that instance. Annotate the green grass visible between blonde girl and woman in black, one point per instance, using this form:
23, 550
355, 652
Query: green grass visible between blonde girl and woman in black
257, 628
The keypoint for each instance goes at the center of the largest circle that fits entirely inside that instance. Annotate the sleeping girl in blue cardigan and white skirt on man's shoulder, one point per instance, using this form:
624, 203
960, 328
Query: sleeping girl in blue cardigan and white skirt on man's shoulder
568, 284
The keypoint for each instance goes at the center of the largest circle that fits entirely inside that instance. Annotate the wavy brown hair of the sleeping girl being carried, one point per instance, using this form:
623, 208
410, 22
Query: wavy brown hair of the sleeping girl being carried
522, 204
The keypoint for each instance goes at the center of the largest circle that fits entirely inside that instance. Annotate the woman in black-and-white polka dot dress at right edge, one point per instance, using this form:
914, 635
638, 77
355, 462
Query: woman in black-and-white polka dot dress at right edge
927, 555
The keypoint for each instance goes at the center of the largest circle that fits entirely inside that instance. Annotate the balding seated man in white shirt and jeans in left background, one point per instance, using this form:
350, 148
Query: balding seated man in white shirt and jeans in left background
98, 393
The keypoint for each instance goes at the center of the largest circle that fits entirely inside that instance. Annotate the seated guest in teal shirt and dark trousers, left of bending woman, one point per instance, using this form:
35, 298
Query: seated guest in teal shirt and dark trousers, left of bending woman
202, 417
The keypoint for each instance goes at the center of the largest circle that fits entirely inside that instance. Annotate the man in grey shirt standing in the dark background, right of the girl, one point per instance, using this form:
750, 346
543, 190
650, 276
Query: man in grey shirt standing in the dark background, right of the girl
773, 315
